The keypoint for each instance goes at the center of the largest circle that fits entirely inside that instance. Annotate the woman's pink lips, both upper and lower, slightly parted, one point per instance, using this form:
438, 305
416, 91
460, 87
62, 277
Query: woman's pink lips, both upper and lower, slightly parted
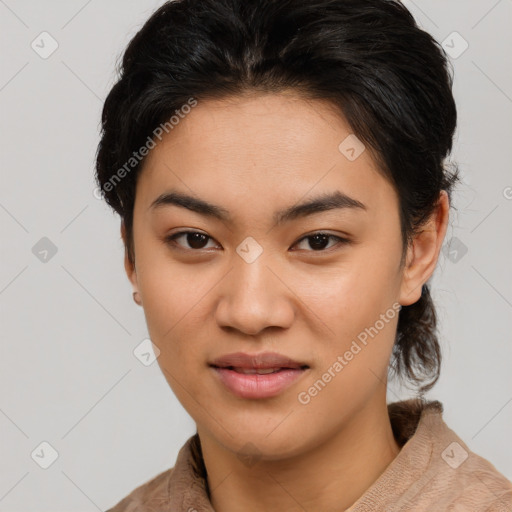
254, 385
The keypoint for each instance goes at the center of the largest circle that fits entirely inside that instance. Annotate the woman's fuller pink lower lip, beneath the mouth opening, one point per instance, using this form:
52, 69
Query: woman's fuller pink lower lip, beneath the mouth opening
257, 385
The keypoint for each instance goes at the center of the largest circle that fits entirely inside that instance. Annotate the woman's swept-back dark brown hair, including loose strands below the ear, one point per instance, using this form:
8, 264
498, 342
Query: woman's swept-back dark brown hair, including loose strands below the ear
368, 58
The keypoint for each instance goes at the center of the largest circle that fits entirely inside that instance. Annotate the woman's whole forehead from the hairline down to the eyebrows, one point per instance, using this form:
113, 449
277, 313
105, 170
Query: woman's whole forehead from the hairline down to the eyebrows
276, 148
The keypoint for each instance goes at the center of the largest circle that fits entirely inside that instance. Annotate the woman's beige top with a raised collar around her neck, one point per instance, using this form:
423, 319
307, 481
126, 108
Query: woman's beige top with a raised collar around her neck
434, 471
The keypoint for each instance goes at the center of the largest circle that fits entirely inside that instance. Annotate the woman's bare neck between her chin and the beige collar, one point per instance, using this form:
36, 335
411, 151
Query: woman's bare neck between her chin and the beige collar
329, 478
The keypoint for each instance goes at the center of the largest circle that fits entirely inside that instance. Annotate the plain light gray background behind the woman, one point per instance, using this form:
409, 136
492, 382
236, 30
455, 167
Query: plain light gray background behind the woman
69, 326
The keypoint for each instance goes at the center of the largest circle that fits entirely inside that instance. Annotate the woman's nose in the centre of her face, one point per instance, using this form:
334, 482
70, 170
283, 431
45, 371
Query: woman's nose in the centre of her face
254, 297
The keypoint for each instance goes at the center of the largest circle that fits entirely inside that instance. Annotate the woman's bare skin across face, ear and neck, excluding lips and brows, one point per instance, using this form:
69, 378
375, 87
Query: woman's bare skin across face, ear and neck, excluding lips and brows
254, 155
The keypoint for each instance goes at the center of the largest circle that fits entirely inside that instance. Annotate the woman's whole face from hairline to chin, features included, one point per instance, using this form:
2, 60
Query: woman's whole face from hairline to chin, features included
256, 280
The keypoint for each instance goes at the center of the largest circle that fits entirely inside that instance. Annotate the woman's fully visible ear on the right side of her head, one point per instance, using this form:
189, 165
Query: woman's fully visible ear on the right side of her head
423, 252
